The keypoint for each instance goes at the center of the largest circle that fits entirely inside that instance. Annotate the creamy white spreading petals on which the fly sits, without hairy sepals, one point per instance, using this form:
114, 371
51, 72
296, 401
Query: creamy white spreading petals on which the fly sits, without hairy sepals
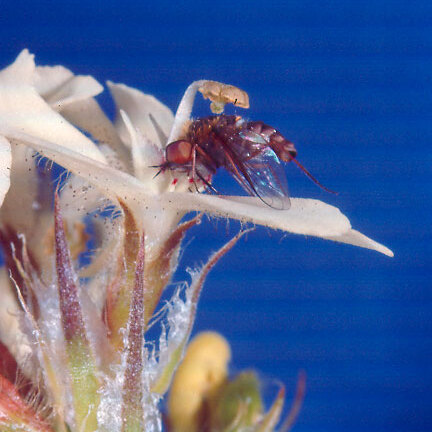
32, 100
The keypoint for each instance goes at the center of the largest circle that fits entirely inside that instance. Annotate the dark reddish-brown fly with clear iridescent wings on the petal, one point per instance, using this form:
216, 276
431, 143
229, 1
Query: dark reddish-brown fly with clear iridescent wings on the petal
252, 152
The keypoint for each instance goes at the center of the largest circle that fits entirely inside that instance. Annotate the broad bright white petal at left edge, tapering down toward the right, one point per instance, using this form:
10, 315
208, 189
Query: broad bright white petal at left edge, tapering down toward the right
23, 109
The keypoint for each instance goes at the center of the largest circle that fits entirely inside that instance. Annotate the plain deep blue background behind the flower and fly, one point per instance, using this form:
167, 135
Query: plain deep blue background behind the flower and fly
350, 83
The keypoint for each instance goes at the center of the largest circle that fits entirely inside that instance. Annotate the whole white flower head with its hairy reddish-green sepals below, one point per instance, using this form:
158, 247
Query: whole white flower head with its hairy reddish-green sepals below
81, 341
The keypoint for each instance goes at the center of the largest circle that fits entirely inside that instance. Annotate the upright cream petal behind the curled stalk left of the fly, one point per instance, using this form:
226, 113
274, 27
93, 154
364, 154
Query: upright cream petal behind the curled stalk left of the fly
138, 107
